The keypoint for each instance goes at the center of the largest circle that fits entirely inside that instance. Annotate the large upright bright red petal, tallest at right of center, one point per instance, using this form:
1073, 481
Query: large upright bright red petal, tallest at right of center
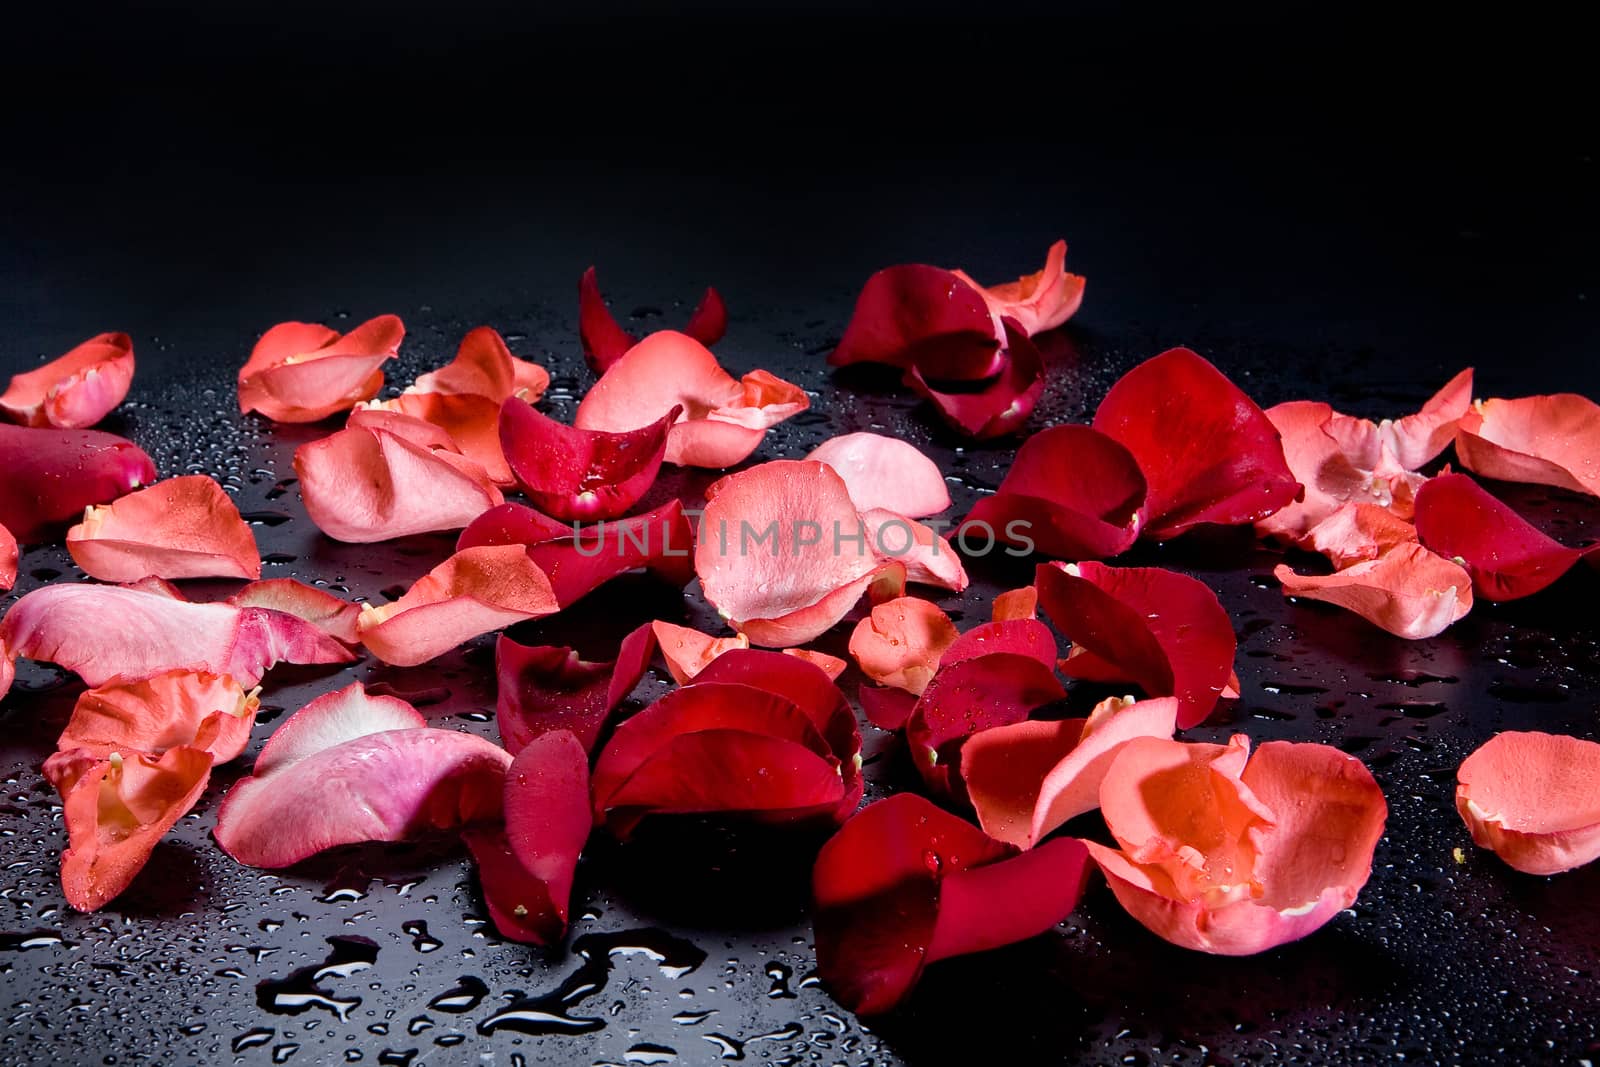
1207, 452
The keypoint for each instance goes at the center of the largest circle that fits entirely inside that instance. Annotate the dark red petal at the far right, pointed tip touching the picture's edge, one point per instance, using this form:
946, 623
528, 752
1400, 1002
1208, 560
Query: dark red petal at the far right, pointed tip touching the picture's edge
1506, 556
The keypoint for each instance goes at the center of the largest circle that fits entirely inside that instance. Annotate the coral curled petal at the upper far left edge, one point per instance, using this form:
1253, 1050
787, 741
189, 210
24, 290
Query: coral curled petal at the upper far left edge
74, 391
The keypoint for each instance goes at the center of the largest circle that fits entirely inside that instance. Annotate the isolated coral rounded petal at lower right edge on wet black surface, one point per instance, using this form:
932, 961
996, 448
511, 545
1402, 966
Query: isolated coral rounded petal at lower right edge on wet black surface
1534, 799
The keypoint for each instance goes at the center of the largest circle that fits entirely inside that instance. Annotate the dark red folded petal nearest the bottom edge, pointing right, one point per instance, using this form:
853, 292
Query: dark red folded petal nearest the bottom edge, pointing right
876, 885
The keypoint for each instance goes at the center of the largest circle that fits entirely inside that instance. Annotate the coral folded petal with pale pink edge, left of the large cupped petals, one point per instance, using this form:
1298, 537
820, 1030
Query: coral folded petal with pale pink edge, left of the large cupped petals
1030, 778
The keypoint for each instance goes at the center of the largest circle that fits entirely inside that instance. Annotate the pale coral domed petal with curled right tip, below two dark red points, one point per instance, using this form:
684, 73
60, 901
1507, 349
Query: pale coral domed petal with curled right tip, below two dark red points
724, 418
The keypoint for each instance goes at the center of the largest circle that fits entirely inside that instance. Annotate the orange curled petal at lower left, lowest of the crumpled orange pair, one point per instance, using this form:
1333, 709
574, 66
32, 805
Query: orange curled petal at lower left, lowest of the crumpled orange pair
116, 810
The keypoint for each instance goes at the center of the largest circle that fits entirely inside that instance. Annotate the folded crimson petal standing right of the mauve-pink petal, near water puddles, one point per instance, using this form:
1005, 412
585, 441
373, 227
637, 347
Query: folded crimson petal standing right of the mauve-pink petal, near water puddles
527, 866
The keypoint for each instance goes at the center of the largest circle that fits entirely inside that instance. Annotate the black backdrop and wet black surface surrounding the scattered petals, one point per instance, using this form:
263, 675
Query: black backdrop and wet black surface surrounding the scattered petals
1343, 206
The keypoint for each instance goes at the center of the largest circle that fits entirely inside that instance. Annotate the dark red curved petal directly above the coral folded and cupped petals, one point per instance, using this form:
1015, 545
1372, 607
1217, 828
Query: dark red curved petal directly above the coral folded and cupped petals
1159, 629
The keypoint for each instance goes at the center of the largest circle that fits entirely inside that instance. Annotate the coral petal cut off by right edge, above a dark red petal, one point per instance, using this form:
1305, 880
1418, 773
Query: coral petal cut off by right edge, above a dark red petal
1548, 441
